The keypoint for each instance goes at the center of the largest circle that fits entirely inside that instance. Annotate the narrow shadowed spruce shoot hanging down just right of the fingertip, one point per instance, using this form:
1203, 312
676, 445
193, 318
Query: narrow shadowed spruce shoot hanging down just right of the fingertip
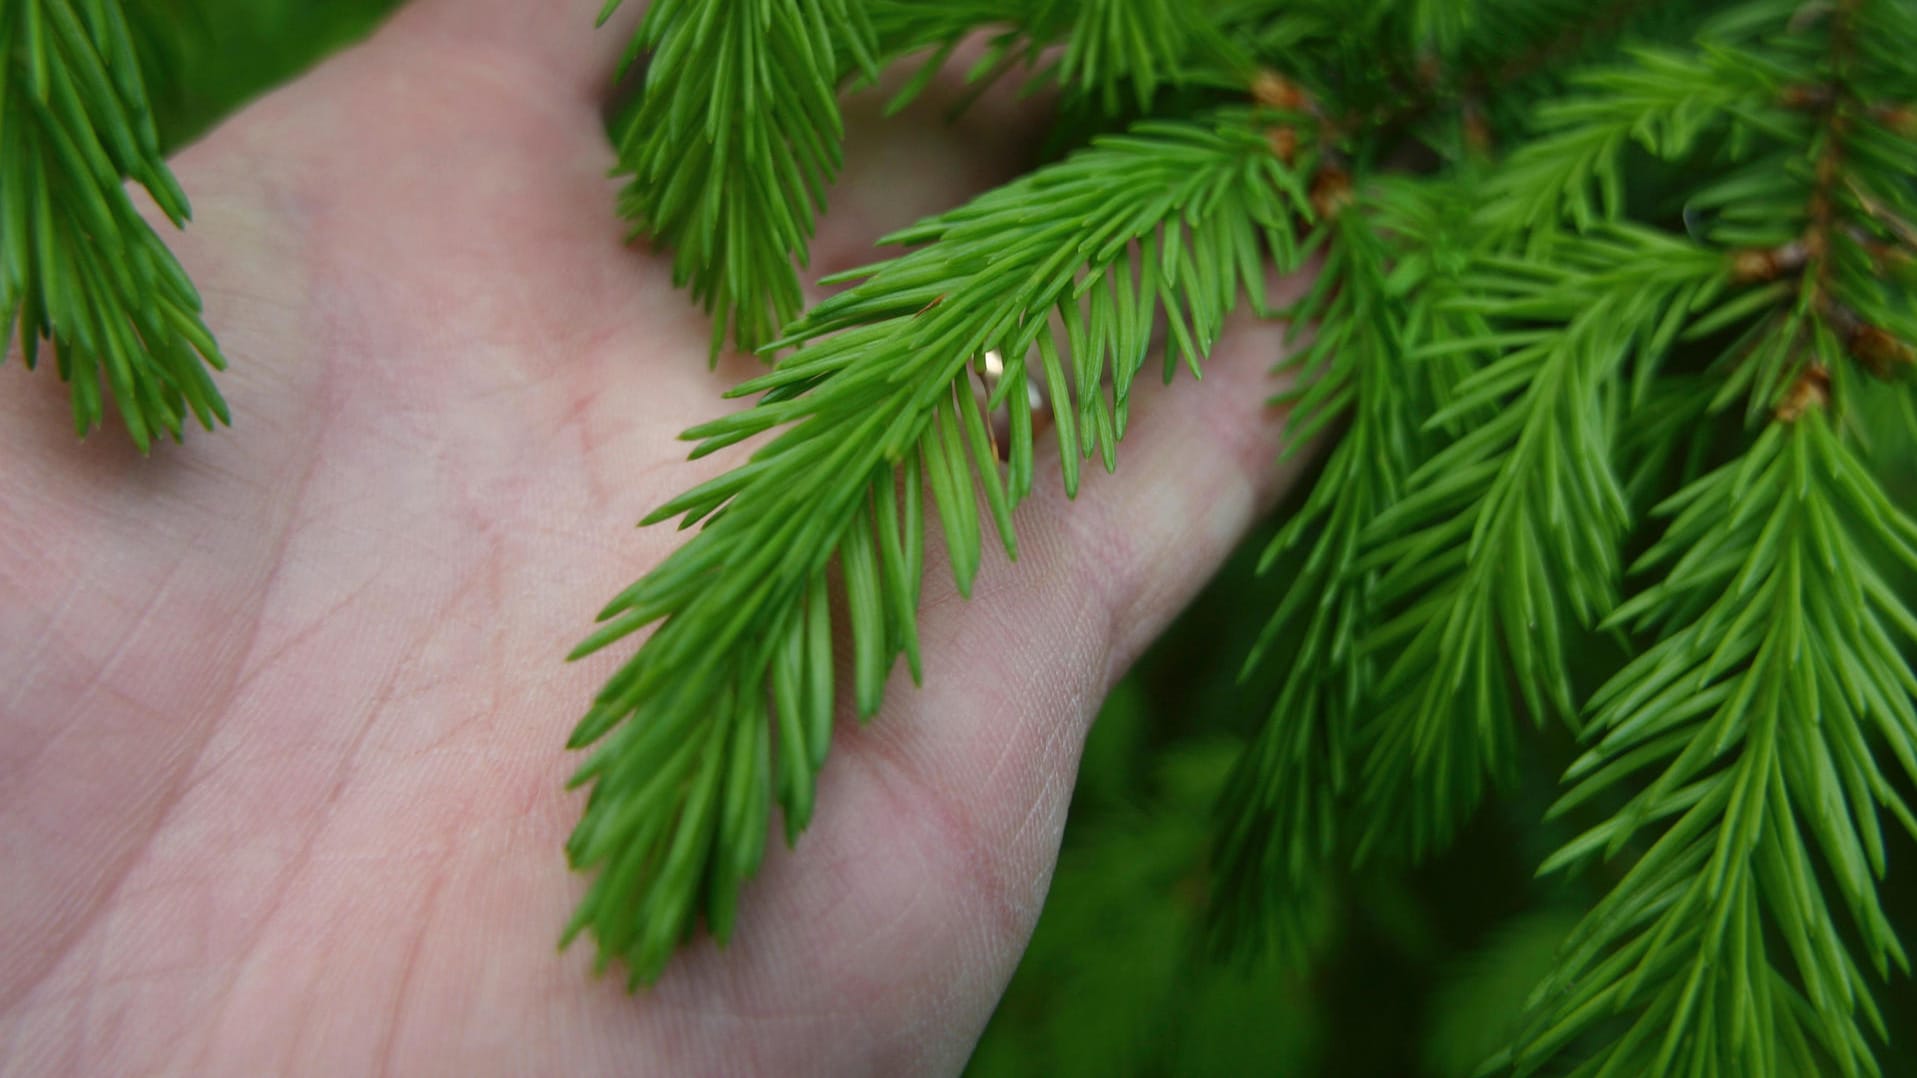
1280, 812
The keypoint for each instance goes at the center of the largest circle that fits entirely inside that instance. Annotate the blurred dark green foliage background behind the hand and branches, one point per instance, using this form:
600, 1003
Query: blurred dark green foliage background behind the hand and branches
1410, 973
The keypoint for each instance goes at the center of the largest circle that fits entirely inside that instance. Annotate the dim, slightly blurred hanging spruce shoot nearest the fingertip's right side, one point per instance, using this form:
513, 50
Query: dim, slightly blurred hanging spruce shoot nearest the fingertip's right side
1282, 818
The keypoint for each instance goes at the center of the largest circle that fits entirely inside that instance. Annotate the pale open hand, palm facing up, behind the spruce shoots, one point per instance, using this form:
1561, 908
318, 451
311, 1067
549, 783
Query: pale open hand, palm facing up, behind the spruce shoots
283, 711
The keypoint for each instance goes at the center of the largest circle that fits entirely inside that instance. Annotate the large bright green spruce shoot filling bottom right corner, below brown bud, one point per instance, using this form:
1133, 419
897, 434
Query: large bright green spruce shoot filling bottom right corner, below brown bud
1751, 722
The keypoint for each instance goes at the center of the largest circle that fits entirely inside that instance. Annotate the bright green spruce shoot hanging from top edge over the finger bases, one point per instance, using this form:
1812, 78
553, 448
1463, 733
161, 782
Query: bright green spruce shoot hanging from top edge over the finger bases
733, 183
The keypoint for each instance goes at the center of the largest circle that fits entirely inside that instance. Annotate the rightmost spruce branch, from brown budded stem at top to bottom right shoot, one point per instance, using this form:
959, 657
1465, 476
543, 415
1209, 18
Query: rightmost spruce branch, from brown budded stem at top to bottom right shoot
1780, 655
